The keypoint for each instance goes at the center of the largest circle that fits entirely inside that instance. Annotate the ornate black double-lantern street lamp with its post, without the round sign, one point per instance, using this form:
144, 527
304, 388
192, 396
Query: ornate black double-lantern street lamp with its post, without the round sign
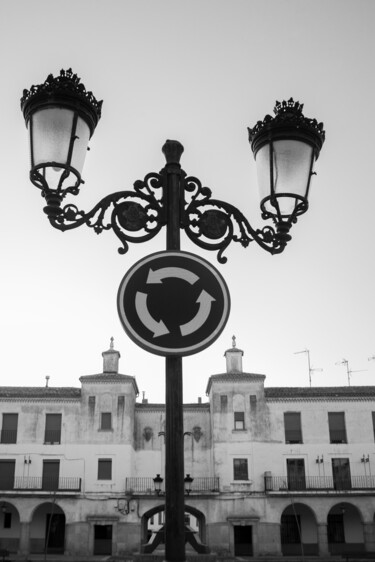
61, 117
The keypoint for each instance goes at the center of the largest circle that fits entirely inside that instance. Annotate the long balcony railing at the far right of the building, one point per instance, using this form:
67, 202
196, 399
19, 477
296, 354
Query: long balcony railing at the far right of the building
317, 483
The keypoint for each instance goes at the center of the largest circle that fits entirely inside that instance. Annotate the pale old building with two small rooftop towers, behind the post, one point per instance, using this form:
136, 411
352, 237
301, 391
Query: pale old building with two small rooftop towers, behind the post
272, 471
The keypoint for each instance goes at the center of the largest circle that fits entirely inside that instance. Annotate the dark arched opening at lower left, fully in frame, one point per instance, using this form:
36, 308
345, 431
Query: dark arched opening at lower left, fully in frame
47, 530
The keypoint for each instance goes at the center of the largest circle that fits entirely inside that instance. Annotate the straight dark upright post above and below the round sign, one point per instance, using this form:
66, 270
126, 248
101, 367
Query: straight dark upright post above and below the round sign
174, 425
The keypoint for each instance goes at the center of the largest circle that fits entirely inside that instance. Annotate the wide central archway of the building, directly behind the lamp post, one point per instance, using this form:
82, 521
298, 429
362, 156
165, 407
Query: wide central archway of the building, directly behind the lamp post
152, 530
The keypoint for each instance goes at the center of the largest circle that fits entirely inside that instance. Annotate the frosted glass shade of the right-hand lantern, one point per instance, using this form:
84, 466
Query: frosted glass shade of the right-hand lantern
284, 170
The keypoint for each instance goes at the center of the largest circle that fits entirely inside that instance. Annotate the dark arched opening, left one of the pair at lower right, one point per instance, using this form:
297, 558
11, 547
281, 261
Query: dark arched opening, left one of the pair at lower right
299, 531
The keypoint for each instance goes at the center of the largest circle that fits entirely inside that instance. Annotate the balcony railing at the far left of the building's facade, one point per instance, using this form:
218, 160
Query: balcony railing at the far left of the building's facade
33, 483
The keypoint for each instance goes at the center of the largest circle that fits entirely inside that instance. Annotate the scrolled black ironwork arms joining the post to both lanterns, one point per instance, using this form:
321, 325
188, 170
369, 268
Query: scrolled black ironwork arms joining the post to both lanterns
137, 216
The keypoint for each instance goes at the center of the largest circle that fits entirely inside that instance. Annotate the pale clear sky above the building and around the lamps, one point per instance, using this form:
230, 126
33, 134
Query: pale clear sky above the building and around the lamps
199, 71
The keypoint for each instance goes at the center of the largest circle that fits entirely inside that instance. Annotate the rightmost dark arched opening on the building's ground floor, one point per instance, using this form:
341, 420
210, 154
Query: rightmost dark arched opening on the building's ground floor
345, 529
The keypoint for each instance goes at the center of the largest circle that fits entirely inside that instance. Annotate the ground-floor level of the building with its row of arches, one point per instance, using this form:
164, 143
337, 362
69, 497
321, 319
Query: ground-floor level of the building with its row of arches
238, 525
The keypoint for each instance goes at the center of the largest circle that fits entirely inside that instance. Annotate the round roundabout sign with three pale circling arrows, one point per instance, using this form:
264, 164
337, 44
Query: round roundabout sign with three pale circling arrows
173, 303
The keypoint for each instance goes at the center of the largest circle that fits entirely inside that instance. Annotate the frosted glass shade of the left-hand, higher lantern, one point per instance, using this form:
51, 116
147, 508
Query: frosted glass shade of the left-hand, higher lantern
58, 141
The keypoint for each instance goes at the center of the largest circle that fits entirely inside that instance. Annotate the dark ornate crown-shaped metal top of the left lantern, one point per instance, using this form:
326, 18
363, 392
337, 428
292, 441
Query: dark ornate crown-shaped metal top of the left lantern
64, 90
